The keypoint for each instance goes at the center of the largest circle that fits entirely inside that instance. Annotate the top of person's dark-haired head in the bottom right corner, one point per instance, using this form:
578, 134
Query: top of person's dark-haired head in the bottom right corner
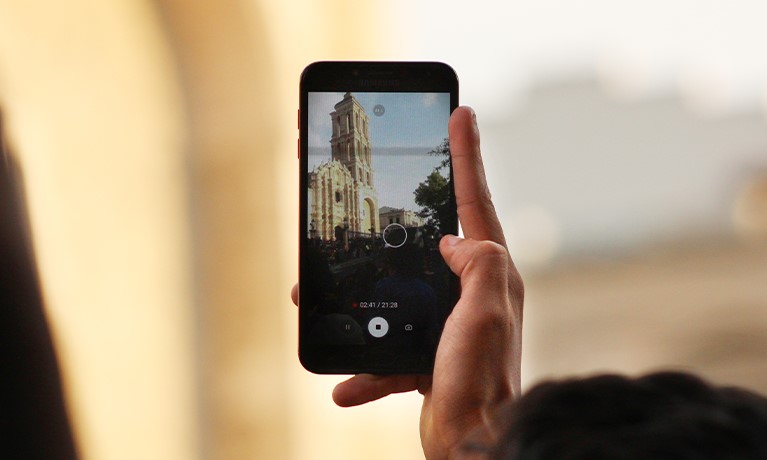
659, 416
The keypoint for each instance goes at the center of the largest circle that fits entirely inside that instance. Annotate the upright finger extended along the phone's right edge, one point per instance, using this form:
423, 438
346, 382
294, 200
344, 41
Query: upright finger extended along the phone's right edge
475, 207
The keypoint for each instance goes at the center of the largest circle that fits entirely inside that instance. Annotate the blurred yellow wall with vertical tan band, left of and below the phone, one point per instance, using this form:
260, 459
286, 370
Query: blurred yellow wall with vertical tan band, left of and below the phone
158, 144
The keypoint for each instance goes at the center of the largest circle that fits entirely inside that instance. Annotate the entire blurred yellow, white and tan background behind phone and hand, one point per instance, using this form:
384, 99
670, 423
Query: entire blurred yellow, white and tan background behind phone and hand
626, 148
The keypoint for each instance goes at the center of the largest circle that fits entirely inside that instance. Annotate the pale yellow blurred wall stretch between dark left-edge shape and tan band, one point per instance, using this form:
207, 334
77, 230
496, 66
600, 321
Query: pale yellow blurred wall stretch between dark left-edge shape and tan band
95, 114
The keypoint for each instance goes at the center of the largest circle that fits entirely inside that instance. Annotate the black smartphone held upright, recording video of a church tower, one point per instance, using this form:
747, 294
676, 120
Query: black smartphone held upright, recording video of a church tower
376, 196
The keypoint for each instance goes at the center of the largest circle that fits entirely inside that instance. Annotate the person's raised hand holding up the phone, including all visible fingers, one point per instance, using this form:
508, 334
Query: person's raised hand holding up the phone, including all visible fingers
479, 354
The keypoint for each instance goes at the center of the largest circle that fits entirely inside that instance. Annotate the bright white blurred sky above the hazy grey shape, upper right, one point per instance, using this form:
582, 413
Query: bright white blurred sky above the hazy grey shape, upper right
498, 48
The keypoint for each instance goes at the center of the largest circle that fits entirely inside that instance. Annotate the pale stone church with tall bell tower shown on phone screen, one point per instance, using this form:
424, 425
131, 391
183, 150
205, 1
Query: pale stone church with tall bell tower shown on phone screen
342, 194
